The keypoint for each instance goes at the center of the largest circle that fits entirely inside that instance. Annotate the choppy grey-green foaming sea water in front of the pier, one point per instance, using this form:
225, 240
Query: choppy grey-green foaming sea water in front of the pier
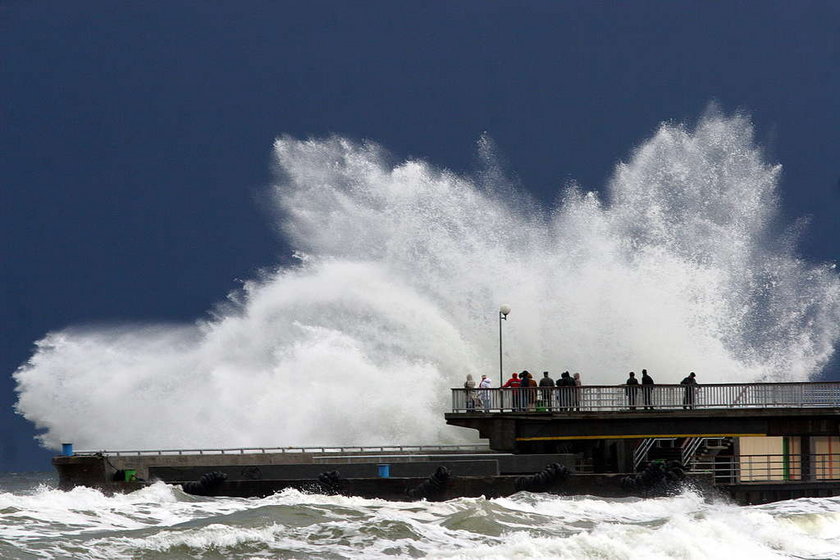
39, 521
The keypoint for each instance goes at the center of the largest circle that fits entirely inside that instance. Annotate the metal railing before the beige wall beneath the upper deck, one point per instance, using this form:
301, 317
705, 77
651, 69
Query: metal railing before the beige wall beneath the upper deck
731, 469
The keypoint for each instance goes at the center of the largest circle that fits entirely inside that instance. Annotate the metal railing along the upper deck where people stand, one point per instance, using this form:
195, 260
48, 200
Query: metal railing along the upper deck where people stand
652, 397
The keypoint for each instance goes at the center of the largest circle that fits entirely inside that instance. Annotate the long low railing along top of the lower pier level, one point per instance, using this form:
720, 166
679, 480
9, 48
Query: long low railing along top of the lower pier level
290, 450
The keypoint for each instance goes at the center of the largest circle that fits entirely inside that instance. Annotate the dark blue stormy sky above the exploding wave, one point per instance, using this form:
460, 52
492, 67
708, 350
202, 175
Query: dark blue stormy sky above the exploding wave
136, 138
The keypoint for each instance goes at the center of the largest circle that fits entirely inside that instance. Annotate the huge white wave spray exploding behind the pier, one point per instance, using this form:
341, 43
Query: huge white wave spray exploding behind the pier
402, 268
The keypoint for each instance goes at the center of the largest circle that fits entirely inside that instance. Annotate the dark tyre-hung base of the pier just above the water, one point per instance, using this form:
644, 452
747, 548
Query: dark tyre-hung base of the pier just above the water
474, 478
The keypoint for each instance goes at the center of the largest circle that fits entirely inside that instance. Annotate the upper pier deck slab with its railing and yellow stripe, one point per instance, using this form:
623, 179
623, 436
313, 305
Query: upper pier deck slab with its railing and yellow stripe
514, 420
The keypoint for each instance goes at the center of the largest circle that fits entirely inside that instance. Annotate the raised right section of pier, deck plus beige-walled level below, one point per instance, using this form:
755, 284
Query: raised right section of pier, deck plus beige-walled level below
757, 440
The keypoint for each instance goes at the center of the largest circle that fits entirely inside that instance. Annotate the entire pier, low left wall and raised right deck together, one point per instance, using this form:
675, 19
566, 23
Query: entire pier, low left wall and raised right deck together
756, 442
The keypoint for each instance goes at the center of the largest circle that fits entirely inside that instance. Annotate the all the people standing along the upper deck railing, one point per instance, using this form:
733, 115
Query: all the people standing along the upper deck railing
563, 394
